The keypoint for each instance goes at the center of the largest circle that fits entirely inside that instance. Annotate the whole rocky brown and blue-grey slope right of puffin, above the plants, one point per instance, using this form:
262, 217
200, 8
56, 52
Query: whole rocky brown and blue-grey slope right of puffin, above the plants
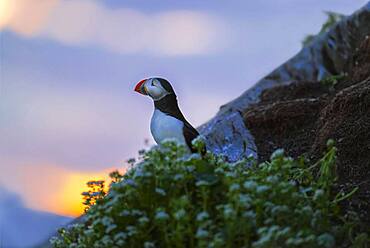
295, 109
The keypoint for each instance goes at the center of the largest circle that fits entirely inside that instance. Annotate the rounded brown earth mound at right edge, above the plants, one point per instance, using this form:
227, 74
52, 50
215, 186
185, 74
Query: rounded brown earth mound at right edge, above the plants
346, 119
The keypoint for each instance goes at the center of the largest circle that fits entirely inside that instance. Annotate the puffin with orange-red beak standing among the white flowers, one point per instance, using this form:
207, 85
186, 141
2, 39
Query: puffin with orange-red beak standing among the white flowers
167, 121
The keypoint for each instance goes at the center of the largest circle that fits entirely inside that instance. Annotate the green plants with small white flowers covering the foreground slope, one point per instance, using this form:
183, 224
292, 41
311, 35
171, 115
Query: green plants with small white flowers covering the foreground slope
173, 199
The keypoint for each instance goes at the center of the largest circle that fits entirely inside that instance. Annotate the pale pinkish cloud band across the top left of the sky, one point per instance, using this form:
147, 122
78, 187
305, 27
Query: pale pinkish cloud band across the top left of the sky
127, 31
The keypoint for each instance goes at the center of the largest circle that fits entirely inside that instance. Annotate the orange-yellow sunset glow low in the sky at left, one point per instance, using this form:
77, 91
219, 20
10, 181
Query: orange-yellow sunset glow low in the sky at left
53, 188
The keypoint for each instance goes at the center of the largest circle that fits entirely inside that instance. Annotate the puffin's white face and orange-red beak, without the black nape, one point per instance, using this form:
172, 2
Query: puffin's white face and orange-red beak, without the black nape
151, 87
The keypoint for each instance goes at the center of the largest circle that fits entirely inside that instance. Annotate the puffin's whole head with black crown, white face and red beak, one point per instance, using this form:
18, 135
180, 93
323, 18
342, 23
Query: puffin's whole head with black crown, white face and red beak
156, 88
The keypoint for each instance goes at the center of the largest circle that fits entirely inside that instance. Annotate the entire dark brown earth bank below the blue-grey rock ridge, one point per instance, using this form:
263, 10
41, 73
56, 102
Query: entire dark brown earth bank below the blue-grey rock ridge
302, 116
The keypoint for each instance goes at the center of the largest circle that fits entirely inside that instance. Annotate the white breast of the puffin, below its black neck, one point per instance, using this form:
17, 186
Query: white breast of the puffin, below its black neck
164, 126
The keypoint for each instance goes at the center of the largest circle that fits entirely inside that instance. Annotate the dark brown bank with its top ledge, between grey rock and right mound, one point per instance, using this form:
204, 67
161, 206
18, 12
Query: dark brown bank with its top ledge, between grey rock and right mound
288, 122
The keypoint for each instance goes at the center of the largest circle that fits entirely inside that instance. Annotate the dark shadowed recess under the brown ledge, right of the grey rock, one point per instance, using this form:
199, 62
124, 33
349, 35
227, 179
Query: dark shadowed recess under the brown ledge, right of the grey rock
284, 124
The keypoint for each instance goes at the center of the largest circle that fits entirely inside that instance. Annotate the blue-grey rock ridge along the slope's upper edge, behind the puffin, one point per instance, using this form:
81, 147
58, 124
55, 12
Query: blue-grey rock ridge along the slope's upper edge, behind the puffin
328, 54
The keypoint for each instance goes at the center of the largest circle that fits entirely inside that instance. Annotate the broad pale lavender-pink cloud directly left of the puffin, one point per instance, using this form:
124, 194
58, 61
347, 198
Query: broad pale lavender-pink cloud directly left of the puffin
78, 128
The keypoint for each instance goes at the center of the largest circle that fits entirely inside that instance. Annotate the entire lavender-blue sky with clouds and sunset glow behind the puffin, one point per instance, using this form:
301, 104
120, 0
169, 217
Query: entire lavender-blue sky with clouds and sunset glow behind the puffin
68, 112
